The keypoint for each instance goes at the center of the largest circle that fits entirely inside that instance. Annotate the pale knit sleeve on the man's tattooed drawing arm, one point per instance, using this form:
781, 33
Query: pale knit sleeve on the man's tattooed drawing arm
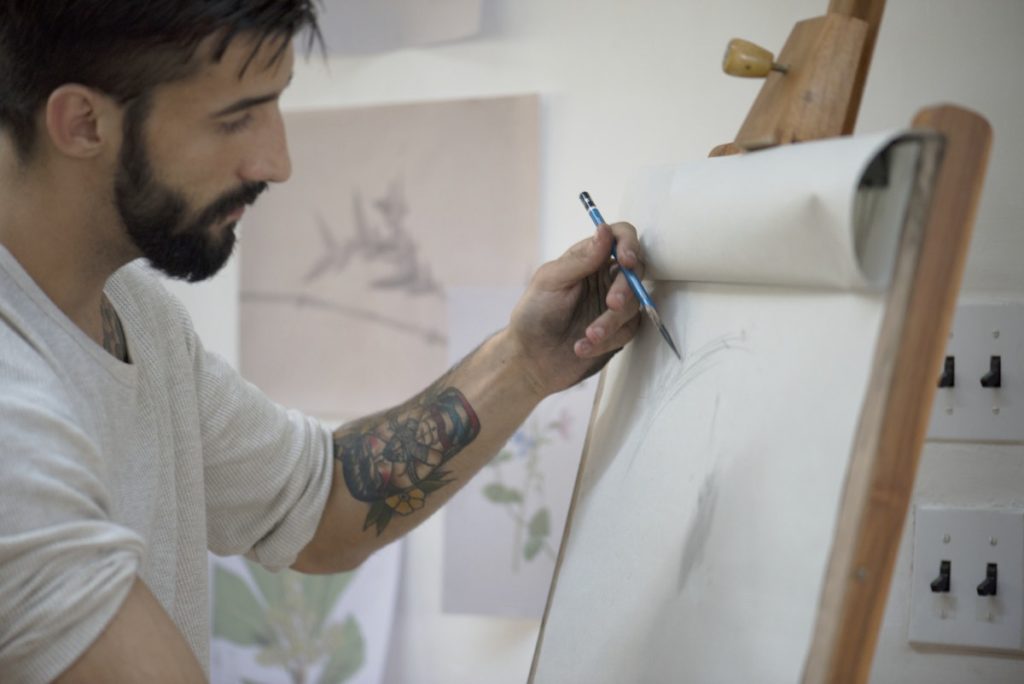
268, 471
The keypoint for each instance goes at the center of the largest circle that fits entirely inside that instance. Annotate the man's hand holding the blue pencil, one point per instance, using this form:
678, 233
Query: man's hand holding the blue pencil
579, 311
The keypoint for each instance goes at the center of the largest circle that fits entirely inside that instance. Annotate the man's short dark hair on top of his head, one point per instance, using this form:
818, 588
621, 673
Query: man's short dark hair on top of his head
123, 48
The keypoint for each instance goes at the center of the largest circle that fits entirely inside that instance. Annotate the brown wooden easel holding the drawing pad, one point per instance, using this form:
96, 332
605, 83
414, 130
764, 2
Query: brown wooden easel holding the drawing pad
818, 95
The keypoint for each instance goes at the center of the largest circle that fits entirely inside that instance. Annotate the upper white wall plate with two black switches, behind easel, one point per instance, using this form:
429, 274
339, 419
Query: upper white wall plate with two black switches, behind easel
969, 412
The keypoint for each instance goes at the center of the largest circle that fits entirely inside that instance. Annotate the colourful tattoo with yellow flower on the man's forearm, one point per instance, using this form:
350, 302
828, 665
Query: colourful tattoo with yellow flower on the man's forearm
395, 460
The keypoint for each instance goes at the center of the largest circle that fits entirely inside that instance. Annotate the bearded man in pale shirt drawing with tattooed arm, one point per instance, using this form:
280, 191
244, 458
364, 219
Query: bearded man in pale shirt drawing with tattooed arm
139, 129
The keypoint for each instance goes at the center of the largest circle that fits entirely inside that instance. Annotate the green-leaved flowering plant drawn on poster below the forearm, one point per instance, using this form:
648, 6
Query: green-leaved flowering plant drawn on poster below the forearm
526, 503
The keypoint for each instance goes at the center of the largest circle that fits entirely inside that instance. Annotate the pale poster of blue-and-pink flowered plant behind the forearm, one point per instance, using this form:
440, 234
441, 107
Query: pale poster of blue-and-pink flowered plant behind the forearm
503, 530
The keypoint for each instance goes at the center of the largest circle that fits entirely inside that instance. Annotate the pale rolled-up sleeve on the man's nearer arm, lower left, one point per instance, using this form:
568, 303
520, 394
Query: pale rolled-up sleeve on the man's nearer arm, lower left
65, 568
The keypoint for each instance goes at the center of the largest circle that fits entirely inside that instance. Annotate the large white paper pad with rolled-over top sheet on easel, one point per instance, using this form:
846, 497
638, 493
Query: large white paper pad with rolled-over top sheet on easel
707, 507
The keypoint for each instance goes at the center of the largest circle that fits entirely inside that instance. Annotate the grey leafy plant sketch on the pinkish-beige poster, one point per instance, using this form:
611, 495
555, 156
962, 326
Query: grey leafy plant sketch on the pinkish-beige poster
383, 245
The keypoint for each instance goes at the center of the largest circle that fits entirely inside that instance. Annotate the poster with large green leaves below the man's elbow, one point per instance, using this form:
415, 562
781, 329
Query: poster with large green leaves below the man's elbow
288, 628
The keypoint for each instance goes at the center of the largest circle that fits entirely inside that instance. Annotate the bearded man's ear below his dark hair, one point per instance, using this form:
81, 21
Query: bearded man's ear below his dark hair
81, 121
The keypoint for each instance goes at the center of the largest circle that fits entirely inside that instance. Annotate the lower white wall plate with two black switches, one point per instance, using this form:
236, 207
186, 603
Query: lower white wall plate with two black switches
969, 539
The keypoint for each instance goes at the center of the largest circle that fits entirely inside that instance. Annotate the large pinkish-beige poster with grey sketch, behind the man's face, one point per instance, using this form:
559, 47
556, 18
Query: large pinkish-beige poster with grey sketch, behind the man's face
346, 269
